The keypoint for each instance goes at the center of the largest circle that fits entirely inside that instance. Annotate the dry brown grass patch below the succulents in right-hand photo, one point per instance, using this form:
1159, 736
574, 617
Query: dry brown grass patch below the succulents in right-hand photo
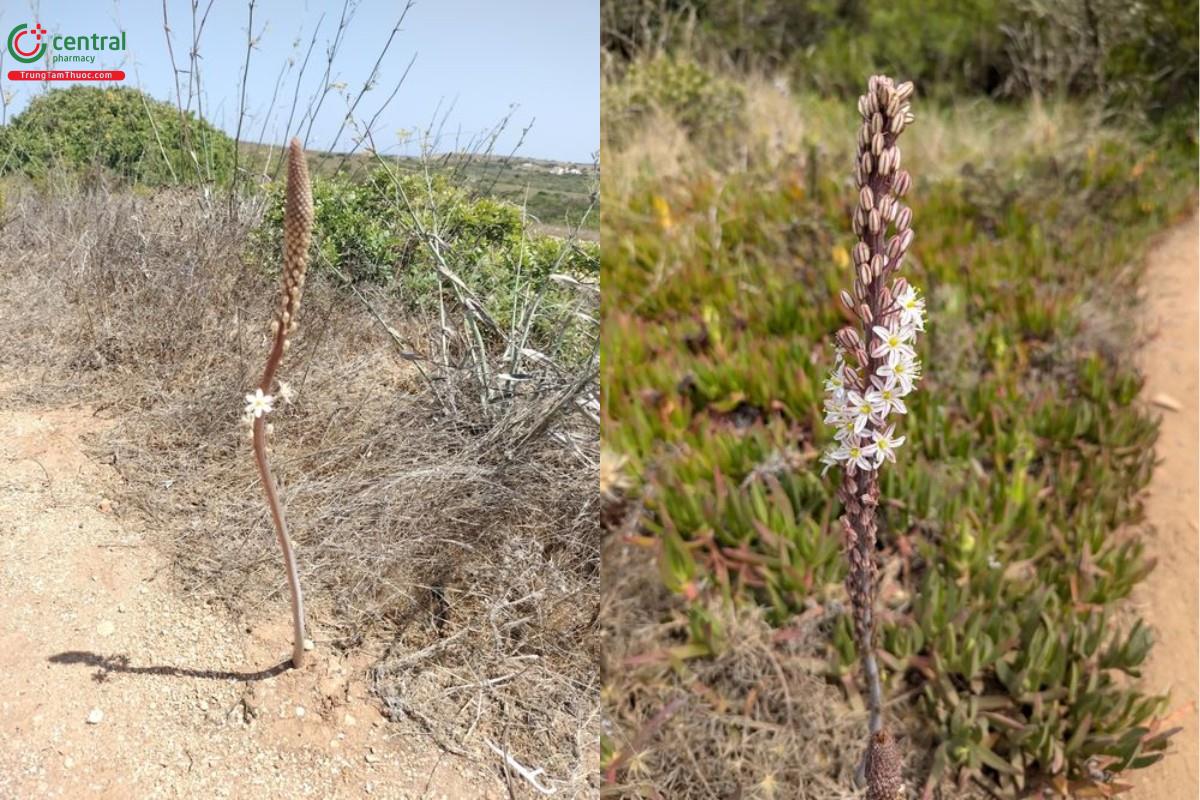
758, 721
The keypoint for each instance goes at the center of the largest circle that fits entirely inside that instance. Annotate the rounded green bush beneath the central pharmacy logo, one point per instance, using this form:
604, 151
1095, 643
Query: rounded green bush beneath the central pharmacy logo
121, 130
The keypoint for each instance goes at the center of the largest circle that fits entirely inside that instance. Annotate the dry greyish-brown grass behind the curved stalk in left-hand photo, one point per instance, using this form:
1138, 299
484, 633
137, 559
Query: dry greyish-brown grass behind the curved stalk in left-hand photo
477, 560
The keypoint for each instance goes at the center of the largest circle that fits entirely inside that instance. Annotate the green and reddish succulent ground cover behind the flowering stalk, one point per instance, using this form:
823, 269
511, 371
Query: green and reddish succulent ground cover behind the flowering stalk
1011, 522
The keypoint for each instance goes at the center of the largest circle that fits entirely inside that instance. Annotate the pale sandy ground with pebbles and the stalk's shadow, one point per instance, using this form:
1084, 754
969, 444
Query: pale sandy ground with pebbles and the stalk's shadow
115, 685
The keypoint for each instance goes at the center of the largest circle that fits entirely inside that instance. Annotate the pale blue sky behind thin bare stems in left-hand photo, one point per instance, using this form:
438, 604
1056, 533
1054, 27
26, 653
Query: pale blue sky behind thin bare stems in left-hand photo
473, 58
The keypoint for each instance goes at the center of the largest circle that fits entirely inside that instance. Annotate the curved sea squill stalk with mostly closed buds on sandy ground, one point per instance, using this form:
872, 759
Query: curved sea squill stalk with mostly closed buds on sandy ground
298, 216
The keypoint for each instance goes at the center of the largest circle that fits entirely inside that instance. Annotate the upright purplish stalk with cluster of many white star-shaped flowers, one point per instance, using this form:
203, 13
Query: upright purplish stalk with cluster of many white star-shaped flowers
861, 399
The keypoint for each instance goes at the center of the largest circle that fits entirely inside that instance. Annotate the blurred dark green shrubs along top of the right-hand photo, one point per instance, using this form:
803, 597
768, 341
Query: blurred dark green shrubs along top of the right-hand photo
1136, 57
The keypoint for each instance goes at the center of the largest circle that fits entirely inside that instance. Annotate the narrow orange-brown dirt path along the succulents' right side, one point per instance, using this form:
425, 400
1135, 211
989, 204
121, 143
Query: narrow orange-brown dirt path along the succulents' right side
1169, 599
